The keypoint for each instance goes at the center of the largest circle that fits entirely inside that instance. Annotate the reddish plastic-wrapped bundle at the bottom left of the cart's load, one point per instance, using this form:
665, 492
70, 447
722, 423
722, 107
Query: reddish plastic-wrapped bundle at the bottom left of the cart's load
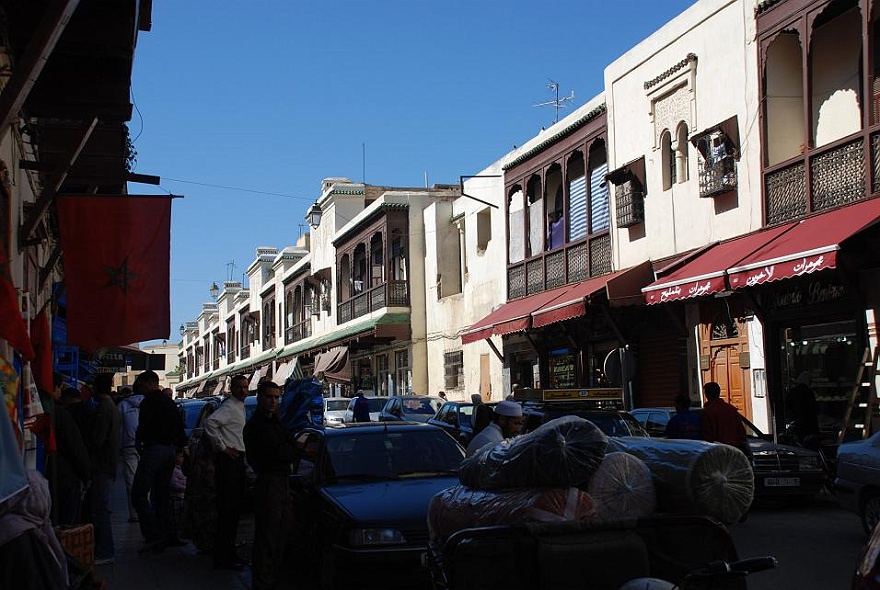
460, 507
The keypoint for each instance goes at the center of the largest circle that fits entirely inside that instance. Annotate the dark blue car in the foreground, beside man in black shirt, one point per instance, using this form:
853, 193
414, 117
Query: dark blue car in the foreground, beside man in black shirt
361, 501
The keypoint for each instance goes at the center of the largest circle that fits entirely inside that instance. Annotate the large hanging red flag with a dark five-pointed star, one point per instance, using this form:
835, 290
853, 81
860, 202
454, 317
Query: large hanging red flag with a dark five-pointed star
116, 253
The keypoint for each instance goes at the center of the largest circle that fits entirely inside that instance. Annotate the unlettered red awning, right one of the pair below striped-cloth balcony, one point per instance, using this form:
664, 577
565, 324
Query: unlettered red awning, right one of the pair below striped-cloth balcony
621, 287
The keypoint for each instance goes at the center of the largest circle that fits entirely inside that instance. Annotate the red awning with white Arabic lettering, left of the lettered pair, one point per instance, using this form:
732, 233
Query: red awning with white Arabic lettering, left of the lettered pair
704, 274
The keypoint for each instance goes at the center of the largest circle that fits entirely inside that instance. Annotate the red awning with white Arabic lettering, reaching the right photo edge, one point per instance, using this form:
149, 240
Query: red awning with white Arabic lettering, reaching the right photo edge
809, 247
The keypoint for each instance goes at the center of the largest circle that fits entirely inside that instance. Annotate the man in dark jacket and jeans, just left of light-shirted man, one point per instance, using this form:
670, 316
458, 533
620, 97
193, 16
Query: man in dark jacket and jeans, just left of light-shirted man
104, 458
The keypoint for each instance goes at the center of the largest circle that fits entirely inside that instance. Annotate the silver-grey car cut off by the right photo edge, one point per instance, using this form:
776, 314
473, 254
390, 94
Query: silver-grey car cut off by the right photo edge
858, 479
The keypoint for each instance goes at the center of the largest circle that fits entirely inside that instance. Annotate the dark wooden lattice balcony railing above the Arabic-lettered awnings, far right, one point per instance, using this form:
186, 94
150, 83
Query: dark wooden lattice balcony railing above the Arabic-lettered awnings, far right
822, 179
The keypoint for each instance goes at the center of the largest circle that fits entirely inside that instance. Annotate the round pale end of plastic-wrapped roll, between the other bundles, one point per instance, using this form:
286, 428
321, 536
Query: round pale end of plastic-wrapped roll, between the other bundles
622, 487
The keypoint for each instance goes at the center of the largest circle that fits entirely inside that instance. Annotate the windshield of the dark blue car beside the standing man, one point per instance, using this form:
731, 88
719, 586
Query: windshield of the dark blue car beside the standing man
393, 454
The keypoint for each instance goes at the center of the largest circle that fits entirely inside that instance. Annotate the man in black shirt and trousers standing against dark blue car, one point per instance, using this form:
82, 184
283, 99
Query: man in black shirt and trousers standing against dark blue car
270, 452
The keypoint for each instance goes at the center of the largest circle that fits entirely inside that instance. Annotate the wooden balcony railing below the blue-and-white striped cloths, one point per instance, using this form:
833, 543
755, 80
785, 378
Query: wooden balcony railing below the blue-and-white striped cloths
569, 264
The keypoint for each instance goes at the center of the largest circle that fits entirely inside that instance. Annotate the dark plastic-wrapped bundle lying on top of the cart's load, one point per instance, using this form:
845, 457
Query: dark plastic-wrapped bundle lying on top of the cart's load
560, 453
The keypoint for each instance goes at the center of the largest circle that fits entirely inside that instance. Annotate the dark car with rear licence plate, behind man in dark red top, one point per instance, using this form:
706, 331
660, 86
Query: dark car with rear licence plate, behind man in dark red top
780, 470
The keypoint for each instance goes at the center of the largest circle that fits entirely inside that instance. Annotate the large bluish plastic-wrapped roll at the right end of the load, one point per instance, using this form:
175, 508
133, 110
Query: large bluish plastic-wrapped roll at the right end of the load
693, 476
